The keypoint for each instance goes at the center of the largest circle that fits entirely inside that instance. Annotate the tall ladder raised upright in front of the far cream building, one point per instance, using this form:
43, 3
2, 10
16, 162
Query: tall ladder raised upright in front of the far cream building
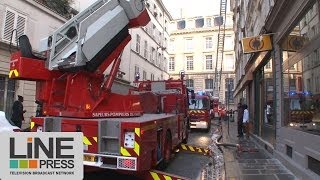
220, 49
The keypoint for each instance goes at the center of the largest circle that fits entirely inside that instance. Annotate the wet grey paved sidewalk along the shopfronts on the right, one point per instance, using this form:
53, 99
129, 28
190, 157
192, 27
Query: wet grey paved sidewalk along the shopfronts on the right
253, 163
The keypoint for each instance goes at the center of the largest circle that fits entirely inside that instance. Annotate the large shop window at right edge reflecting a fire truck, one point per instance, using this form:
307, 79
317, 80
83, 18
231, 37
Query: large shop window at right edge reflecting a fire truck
301, 75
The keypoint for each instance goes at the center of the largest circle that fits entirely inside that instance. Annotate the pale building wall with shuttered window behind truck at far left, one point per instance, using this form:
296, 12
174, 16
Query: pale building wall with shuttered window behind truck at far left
37, 22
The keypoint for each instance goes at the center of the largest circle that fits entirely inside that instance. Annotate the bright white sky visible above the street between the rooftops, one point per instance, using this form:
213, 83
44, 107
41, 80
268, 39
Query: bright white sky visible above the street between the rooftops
177, 8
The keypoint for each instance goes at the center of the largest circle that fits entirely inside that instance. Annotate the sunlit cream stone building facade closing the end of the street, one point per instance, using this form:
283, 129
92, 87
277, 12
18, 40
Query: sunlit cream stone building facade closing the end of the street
193, 50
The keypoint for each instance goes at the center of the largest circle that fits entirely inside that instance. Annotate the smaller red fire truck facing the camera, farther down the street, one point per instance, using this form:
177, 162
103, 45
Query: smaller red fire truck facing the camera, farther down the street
199, 112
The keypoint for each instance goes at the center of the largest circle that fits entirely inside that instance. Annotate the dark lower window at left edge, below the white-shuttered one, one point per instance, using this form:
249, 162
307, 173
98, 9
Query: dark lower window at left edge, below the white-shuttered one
7, 95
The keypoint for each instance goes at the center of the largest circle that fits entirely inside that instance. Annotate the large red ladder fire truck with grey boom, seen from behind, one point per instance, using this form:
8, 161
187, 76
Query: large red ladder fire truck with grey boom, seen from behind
133, 132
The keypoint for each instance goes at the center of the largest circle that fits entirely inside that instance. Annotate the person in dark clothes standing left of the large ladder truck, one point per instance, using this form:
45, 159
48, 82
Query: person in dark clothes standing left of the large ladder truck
17, 112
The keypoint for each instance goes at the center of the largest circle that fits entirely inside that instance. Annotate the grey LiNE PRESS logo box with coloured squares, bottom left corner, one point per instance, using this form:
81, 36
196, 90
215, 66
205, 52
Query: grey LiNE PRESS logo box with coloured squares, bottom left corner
39, 155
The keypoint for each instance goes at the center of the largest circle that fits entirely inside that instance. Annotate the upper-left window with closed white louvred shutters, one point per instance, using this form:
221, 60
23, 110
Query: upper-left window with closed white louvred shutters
13, 20
